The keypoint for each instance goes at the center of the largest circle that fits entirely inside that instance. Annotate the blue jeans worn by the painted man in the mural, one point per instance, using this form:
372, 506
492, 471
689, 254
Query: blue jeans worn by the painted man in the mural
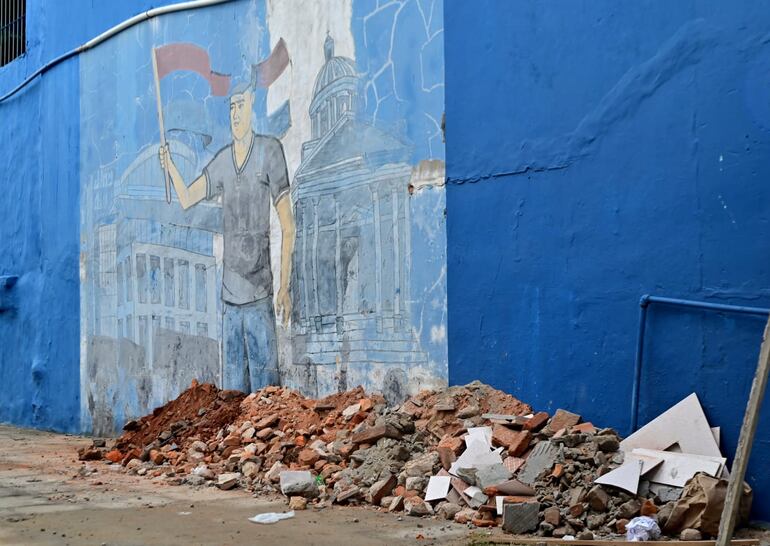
250, 346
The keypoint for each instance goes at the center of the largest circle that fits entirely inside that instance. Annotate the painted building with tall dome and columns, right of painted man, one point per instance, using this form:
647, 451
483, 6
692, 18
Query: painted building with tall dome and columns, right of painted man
352, 256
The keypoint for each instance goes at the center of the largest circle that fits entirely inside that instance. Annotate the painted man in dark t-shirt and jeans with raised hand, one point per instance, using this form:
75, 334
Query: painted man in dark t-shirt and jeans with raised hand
248, 174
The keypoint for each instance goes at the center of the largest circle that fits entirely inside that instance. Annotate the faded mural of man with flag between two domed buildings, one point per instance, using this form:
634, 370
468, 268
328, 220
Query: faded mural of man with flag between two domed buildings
263, 203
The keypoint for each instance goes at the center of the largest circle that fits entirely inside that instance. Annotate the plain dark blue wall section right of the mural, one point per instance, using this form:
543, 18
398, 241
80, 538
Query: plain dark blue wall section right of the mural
597, 151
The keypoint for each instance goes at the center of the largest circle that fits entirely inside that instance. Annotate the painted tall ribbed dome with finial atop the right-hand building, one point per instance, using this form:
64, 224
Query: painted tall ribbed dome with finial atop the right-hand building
334, 91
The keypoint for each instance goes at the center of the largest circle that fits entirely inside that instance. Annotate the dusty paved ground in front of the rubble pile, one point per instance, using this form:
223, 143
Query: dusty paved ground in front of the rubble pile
43, 500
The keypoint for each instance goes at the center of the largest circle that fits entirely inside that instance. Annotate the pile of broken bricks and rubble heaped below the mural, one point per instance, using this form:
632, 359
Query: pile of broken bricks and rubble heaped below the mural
470, 453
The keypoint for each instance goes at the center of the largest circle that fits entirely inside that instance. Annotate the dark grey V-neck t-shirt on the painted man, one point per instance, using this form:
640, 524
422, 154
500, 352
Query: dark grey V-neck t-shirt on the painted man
246, 195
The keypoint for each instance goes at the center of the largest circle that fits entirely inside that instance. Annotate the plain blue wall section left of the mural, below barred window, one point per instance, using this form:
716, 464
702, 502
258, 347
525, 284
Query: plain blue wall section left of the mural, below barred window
39, 215
